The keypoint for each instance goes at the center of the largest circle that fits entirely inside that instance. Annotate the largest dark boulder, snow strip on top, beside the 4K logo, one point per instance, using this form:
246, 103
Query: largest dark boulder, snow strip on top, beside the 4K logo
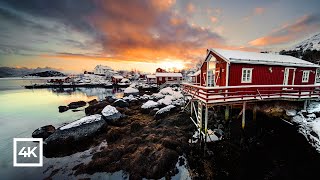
73, 137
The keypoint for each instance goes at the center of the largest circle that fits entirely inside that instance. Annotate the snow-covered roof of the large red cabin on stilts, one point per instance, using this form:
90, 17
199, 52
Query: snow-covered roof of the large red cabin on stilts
235, 56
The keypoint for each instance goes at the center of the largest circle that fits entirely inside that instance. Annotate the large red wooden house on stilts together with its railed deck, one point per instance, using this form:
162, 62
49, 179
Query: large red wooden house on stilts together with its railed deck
232, 73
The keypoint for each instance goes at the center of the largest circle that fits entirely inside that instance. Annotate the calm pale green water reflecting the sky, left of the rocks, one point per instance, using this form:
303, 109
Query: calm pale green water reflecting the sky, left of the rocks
24, 110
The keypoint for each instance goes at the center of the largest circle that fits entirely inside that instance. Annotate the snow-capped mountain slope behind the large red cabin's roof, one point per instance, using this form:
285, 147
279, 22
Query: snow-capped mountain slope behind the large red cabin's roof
312, 43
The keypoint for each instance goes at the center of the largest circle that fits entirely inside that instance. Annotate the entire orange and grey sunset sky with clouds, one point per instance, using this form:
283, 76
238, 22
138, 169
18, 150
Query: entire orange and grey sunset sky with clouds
76, 35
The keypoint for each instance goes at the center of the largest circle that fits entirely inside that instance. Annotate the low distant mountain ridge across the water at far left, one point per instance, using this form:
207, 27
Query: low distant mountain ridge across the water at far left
20, 72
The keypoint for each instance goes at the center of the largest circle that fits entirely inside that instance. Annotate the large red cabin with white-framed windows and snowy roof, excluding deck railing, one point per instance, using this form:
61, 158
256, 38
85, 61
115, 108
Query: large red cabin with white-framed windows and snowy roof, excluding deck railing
239, 68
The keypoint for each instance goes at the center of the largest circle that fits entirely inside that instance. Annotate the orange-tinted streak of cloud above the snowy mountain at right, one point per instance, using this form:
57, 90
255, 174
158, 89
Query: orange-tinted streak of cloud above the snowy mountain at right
289, 32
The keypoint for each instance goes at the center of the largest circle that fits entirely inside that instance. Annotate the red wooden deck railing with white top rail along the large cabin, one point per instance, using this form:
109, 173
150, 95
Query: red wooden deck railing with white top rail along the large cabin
254, 92
